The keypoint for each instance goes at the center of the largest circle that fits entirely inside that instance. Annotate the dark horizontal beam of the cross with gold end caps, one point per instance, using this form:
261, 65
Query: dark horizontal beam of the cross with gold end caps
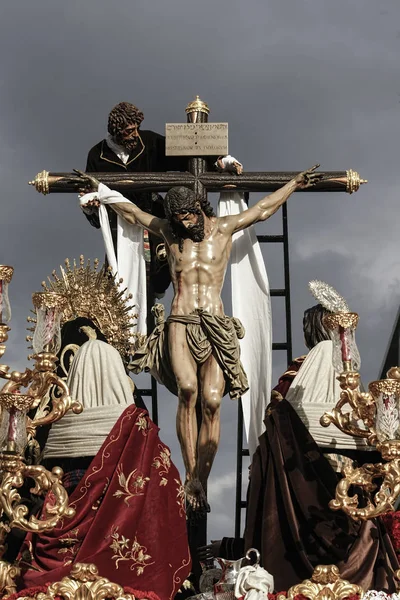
201, 181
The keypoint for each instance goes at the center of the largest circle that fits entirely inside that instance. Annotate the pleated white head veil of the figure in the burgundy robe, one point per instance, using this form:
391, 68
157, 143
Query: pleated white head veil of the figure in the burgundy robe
97, 379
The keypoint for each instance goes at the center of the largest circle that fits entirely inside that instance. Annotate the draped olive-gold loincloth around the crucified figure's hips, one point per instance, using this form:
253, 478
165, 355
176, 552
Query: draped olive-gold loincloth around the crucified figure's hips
206, 335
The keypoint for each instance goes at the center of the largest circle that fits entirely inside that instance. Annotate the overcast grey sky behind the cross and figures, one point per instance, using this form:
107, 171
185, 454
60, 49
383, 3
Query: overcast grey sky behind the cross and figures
299, 81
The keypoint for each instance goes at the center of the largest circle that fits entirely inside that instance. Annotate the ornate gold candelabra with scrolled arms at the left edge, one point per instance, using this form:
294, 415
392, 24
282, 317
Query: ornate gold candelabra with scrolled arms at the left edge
20, 395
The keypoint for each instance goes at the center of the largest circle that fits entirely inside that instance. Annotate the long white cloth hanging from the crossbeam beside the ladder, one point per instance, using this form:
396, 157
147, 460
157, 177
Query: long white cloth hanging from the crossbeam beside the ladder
251, 304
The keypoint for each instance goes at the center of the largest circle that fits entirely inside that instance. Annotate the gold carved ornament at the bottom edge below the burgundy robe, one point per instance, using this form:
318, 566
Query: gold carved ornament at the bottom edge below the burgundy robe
84, 583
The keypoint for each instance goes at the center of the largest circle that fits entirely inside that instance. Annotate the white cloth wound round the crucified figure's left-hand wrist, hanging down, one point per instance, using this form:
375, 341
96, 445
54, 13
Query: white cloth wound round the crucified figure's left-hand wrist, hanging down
131, 264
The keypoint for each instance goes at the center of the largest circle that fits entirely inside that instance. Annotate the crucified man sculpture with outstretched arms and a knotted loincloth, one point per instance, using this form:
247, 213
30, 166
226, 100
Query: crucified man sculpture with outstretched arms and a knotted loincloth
196, 352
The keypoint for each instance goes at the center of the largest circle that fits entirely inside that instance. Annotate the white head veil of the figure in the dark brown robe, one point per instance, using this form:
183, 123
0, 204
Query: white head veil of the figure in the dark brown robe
314, 391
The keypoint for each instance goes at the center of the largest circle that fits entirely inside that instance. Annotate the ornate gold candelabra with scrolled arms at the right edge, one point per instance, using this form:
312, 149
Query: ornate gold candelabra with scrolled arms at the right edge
372, 415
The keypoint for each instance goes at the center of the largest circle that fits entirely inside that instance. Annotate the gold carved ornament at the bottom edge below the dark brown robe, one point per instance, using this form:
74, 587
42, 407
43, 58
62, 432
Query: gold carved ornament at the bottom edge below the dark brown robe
325, 584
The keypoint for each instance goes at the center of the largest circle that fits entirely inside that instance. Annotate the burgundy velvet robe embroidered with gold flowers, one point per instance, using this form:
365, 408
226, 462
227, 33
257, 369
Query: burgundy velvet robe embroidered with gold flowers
130, 516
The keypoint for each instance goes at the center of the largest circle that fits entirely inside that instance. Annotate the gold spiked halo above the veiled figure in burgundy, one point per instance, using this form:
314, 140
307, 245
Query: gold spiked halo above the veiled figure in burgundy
96, 295
